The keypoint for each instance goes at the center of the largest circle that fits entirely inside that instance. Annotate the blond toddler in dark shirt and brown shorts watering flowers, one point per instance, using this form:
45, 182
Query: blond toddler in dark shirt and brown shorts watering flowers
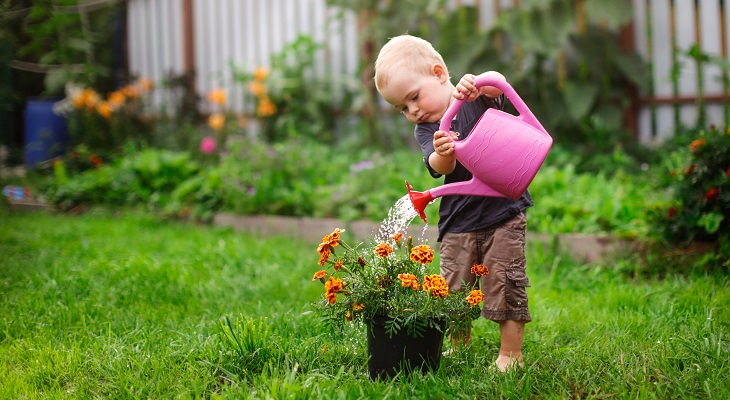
412, 76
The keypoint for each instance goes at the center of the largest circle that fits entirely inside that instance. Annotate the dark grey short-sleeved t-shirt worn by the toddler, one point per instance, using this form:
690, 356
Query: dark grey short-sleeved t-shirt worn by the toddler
468, 213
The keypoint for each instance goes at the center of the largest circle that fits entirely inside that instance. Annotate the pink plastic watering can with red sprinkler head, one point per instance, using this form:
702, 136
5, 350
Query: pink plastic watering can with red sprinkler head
503, 152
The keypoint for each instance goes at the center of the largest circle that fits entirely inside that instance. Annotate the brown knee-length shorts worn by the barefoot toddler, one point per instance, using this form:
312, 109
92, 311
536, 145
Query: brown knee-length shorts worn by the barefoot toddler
502, 250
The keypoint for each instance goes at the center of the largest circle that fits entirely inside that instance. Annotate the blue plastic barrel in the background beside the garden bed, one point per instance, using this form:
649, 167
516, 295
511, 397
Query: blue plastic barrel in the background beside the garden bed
46, 134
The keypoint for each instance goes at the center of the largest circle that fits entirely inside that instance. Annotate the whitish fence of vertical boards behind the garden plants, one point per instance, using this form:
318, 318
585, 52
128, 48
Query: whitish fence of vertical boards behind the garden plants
209, 36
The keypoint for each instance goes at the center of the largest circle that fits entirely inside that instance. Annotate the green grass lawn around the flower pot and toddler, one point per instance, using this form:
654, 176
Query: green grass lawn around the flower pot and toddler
104, 306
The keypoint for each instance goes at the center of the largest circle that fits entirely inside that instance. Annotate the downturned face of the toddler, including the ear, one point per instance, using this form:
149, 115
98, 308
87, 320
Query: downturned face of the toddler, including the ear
420, 97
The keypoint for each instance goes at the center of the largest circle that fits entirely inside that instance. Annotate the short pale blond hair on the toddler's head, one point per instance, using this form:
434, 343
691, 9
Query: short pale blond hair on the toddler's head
405, 52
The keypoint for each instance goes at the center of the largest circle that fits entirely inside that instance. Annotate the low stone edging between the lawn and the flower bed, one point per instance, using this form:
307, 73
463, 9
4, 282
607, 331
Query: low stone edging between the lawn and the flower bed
586, 248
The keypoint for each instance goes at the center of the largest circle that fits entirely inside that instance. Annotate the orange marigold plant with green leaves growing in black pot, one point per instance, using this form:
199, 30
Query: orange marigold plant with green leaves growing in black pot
392, 278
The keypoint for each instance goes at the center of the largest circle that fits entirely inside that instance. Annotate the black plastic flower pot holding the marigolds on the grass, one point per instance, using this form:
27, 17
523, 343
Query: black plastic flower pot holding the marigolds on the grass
402, 353
